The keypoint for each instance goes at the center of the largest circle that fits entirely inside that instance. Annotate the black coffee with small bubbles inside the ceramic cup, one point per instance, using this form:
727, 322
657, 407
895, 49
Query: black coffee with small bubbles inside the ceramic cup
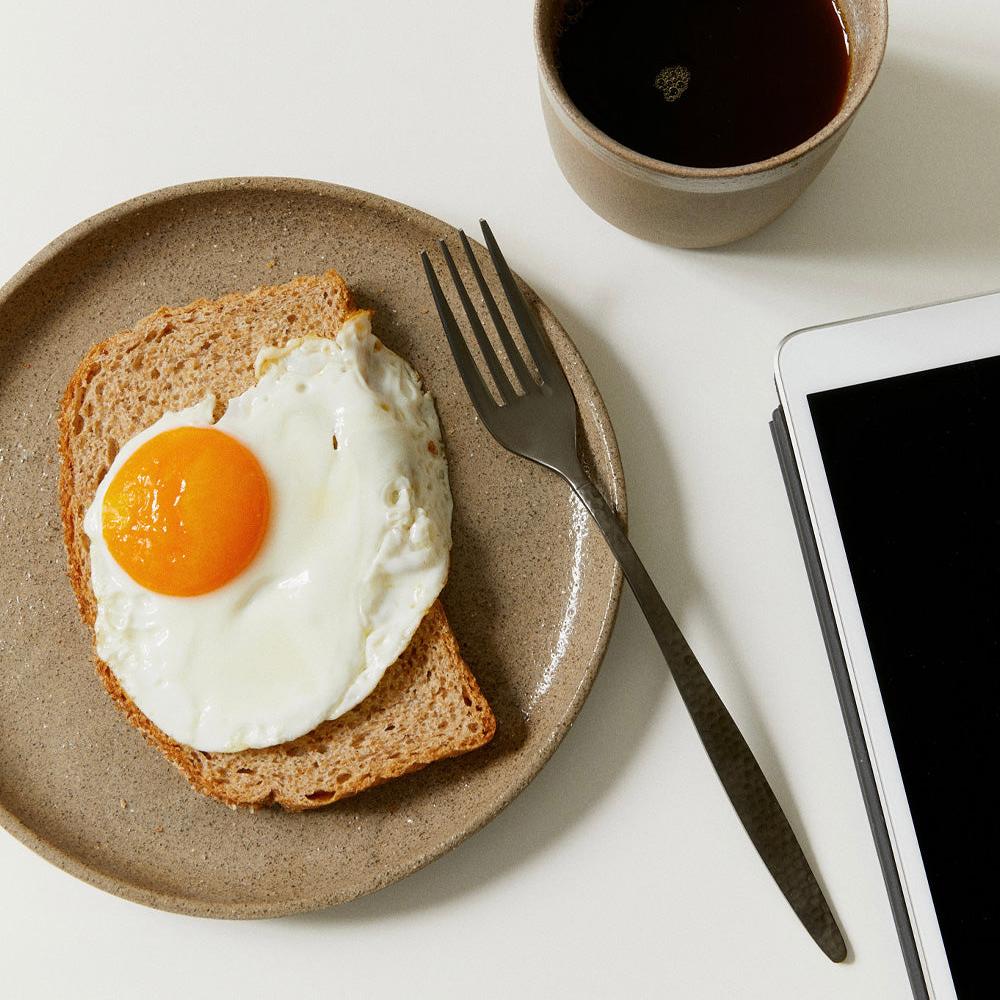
705, 83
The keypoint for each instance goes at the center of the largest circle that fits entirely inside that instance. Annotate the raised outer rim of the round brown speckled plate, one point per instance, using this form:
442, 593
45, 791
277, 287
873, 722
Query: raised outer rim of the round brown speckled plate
122, 887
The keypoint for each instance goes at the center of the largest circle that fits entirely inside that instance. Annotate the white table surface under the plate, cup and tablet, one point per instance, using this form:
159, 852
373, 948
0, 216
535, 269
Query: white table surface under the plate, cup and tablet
621, 871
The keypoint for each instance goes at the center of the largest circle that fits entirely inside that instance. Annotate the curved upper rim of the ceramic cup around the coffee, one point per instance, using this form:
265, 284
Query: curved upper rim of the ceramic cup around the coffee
546, 63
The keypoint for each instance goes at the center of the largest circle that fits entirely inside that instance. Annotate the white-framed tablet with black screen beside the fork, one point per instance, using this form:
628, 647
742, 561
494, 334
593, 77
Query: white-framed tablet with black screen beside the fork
893, 422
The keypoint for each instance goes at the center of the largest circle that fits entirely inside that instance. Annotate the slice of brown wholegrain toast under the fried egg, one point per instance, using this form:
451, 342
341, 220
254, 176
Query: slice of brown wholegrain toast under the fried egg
427, 706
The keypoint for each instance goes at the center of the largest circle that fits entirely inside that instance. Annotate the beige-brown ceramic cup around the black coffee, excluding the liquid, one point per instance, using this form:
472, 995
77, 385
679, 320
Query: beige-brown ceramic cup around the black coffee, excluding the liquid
695, 206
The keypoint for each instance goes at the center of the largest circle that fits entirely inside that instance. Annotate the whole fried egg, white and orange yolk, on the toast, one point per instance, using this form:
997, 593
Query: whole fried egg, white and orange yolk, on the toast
257, 574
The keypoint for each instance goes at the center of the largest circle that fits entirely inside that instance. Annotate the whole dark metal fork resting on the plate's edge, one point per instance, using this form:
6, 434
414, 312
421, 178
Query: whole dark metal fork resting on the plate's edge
536, 418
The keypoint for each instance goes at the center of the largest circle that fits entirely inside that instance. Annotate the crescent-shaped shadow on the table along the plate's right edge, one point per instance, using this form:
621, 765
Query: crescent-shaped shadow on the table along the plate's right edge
622, 705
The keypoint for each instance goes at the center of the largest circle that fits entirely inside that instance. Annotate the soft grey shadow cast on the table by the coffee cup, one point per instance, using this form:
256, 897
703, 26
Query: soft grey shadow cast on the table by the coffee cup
923, 183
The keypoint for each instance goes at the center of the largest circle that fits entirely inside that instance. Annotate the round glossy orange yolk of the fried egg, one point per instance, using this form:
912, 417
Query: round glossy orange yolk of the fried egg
187, 511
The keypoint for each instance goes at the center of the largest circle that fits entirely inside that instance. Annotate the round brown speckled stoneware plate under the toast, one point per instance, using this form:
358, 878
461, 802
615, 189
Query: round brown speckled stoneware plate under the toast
532, 595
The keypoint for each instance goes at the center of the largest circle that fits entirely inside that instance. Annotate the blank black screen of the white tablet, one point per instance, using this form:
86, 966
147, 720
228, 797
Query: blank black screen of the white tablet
913, 464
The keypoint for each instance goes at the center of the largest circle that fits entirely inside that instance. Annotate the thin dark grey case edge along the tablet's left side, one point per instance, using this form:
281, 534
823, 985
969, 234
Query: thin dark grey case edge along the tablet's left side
845, 693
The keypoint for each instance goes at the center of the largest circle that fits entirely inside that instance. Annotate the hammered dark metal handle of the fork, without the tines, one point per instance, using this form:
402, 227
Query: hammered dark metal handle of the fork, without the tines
735, 764
